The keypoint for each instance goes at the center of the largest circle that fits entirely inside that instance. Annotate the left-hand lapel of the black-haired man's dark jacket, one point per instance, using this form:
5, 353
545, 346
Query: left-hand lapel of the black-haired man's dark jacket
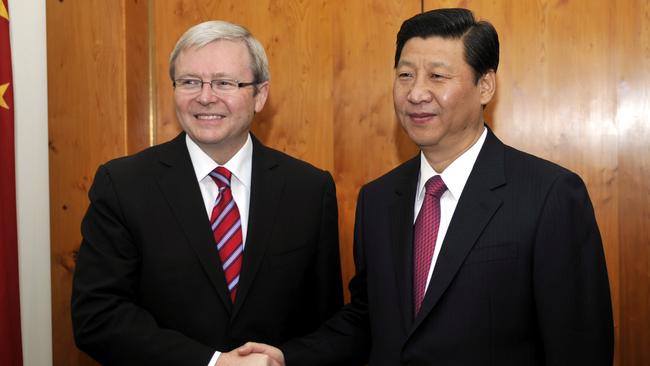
401, 212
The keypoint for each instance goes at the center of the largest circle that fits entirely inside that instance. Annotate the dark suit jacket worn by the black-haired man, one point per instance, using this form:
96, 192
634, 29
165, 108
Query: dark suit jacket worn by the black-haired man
520, 280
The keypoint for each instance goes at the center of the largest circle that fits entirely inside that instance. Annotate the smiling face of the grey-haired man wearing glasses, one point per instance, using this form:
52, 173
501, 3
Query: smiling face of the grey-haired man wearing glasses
218, 122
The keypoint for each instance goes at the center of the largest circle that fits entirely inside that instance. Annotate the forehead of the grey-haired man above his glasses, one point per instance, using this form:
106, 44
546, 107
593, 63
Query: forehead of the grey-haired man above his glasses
221, 58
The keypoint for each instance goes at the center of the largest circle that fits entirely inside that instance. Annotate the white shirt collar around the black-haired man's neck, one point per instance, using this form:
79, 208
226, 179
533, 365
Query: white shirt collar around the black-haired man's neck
456, 174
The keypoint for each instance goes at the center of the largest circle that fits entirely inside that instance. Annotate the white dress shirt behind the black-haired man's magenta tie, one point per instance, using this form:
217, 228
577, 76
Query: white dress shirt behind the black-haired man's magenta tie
455, 177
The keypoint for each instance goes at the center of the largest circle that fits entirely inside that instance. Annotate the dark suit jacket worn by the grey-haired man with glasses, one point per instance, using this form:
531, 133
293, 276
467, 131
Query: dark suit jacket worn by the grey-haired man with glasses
148, 286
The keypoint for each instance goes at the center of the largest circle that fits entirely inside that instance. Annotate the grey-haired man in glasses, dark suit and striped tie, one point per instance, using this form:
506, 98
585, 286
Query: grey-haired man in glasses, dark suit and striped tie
192, 247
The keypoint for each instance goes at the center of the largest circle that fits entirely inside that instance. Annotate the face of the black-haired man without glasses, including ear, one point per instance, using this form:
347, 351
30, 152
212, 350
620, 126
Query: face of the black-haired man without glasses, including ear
436, 99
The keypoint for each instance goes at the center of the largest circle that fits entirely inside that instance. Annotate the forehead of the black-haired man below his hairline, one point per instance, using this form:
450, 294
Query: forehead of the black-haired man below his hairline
433, 50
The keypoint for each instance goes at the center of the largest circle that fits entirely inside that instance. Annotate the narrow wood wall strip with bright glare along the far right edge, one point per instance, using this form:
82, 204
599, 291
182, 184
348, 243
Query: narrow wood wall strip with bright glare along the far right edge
631, 29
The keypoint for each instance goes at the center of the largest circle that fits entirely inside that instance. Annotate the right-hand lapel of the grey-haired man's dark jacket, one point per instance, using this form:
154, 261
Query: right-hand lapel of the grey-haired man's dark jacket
266, 190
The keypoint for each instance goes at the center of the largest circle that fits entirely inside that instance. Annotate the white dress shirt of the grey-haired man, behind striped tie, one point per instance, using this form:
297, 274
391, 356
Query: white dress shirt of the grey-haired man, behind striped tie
240, 165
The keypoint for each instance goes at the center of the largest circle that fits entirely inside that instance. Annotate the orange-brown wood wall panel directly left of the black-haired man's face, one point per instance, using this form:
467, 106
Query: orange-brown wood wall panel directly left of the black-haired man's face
368, 139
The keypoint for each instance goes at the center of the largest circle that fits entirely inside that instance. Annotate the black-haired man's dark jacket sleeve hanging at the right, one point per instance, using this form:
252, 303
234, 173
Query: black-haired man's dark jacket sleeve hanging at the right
571, 287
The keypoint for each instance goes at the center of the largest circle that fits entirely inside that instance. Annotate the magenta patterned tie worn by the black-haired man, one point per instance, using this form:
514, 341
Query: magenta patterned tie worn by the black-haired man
426, 232
